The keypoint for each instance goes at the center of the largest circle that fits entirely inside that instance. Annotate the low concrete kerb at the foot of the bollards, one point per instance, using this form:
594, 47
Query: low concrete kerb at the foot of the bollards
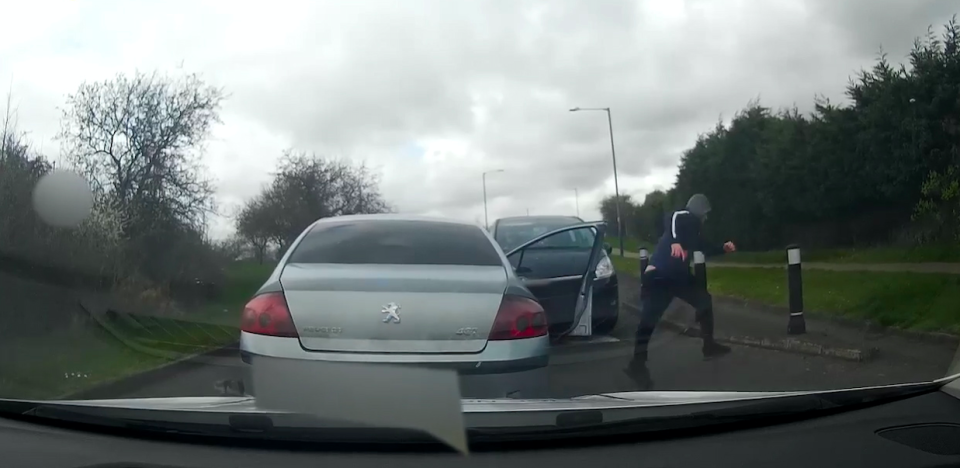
787, 344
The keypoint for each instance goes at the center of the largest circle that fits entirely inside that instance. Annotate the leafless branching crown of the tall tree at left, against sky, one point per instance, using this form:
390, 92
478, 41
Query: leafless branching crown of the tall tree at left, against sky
139, 139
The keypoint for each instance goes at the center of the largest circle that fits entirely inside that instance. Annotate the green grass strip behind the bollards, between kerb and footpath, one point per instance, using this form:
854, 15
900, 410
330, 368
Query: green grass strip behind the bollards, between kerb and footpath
921, 302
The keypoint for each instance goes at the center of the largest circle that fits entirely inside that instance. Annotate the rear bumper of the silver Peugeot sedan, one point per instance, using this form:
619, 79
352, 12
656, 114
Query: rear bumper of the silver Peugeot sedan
503, 369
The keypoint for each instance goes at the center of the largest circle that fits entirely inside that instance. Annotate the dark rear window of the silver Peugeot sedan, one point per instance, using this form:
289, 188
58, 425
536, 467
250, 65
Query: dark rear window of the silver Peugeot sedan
396, 243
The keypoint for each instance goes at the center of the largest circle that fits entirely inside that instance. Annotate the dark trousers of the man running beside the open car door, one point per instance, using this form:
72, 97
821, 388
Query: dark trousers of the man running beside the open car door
656, 293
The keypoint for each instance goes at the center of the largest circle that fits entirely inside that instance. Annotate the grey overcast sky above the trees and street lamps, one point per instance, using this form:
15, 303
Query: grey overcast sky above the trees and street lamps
434, 92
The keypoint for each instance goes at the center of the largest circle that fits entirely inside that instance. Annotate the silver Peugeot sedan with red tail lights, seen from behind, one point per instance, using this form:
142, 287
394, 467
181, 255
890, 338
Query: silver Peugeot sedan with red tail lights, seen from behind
405, 290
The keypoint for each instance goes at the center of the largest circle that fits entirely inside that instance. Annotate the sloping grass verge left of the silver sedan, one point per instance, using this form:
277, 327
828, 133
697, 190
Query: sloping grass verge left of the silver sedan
88, 355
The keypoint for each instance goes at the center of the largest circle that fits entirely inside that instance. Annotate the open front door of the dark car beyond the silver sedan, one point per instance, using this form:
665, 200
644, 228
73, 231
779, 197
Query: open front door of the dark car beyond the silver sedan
561, 275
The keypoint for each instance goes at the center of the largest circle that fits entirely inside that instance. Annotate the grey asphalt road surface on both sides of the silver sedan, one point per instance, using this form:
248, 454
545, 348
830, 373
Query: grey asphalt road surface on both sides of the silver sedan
595, 367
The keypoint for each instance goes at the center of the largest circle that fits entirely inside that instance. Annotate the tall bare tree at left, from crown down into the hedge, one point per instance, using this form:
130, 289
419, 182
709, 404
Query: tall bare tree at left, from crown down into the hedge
139, 141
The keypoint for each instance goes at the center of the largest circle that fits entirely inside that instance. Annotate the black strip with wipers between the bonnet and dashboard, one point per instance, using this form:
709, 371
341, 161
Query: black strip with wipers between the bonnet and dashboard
661, 420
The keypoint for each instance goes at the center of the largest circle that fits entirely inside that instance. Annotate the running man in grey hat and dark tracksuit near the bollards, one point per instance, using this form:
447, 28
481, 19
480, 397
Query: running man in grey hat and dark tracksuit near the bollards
668, 276
